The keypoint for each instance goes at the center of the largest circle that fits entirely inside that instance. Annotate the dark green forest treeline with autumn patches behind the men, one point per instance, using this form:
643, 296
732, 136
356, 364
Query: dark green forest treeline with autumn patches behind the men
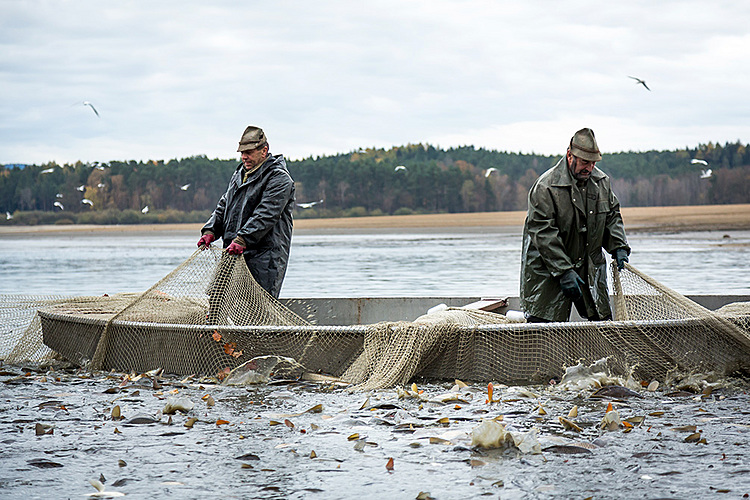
408, 179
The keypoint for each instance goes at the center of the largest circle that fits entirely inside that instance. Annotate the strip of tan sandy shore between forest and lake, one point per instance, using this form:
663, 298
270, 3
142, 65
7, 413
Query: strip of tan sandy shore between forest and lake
651, 219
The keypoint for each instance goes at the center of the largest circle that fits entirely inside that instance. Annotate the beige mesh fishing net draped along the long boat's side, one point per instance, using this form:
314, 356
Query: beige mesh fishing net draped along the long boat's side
208, 316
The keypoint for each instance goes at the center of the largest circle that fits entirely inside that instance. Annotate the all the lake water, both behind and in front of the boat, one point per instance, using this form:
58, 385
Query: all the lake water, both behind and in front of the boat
57, 430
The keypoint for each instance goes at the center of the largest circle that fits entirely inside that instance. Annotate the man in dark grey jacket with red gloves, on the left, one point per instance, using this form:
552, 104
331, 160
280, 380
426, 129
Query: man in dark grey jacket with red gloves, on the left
254, 216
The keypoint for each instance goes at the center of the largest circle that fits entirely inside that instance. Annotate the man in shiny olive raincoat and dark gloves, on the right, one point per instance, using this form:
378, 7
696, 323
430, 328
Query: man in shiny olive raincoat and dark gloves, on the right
572, 215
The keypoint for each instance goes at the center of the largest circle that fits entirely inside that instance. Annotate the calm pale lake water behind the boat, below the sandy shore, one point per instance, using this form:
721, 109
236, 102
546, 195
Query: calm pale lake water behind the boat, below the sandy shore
468, 262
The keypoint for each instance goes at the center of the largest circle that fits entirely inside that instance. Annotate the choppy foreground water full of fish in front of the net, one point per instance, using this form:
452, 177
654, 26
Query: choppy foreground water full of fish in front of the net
273, 441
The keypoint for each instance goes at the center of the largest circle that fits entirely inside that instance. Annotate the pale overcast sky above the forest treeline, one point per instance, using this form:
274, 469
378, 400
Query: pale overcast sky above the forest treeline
172, 79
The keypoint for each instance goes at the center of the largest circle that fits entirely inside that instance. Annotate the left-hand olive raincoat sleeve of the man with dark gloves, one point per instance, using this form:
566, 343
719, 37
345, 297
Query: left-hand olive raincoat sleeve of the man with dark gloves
544, 233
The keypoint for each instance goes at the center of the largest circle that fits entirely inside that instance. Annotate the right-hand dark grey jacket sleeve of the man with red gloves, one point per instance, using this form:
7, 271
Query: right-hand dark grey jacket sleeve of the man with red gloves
276, 196
